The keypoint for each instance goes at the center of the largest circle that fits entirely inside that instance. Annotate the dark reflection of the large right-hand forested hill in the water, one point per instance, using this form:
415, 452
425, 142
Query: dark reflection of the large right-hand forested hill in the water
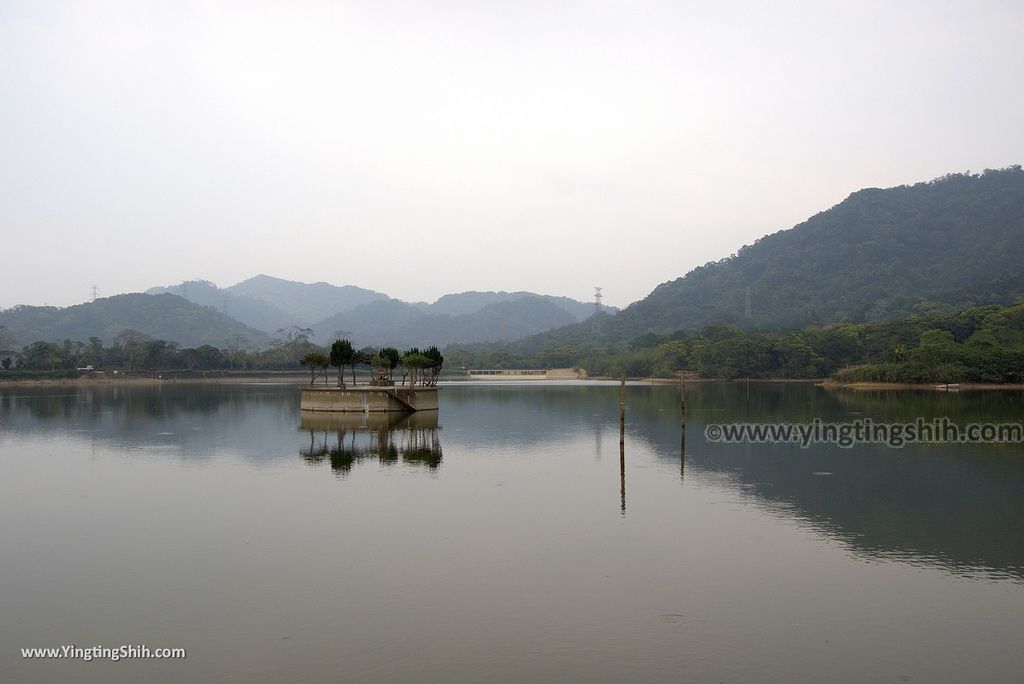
955, 505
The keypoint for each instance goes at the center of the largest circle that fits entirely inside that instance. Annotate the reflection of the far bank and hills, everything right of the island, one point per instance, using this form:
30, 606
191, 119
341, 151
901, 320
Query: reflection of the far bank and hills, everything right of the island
953, 506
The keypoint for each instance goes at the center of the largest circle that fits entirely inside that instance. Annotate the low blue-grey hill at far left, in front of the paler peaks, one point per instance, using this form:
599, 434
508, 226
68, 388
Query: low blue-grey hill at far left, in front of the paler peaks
162, 317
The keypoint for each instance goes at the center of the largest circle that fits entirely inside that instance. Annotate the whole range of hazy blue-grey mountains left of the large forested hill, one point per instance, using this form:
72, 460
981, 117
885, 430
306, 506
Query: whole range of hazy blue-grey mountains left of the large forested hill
248, 314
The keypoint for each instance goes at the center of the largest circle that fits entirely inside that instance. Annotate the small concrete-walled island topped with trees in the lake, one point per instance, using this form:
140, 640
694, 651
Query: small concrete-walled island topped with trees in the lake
419, 369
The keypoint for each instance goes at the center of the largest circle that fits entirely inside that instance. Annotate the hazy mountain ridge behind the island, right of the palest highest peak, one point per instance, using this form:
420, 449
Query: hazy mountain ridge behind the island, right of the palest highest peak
401, 325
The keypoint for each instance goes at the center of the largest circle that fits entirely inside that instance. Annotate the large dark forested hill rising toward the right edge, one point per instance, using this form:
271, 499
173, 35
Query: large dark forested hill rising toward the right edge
953, 243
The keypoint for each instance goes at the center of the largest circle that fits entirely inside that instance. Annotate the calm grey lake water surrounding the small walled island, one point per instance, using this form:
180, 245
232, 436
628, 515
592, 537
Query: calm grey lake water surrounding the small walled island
504, 540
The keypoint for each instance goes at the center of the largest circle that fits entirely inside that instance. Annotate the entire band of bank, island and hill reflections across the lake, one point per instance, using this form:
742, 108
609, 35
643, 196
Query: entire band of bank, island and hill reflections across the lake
954, 506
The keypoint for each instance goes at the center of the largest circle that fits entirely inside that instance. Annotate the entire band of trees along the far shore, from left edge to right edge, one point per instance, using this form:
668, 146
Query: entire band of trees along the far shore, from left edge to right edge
978, 348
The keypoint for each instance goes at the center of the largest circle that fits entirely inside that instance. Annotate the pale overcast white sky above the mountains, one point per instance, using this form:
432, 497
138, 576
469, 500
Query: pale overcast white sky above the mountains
425, 148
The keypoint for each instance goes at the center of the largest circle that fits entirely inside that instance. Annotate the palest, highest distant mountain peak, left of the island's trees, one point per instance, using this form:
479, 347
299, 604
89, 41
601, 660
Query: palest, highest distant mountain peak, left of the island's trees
305, 303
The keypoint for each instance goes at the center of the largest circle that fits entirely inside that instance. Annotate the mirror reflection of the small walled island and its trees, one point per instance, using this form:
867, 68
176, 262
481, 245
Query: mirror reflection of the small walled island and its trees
345, 440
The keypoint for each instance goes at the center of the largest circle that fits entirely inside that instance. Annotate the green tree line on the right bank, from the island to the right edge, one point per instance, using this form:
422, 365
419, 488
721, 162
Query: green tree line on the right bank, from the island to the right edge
979, 345
